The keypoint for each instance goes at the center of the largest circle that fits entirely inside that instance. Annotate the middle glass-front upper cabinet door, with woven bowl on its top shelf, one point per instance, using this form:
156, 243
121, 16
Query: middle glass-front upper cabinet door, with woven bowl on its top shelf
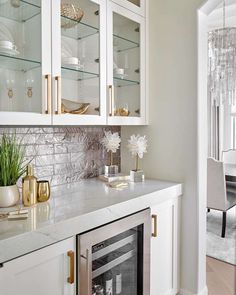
79, 62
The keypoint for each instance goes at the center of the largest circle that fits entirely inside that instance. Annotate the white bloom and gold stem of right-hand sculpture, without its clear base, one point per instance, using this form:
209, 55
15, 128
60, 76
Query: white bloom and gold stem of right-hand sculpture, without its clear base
137, 145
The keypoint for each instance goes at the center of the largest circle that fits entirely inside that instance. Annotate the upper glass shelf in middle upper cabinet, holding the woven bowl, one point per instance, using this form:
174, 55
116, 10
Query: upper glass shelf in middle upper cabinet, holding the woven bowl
79, 31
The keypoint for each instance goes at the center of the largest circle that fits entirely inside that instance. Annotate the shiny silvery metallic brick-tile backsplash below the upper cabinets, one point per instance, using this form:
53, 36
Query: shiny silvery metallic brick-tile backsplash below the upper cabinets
65, 155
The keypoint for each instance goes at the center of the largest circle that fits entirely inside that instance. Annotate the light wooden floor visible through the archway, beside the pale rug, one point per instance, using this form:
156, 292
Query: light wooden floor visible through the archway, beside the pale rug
221, 277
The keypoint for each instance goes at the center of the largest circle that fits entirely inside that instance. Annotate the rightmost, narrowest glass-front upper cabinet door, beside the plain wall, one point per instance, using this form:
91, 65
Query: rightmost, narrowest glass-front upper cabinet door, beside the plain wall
126, 66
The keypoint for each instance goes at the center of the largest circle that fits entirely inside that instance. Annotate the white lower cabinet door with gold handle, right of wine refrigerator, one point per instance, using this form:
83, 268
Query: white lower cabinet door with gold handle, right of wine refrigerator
164, 249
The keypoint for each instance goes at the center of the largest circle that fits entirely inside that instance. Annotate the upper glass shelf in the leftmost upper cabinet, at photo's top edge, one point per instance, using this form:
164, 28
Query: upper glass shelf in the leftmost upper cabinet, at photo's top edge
24, 12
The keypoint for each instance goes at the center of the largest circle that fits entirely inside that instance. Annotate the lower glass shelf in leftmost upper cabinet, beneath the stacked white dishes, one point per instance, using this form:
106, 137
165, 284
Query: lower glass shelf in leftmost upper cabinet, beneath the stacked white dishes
17, 63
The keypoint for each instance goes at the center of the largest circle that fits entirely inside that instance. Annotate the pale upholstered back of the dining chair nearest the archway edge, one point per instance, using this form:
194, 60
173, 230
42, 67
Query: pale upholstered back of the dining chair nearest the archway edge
216, 187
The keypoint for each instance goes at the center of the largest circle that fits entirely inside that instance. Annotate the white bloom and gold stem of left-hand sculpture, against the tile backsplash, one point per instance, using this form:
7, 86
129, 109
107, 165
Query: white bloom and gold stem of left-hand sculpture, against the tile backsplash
111, 142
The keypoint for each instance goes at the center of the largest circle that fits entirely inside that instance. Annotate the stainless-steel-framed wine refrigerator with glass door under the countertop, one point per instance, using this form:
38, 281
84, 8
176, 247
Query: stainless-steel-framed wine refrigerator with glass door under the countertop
115, 259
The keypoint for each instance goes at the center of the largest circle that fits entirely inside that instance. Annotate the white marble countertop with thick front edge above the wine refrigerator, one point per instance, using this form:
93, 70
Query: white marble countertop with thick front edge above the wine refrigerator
76, 208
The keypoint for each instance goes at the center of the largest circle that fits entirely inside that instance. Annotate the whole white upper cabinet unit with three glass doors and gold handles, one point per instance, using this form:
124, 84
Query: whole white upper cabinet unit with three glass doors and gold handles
96, 65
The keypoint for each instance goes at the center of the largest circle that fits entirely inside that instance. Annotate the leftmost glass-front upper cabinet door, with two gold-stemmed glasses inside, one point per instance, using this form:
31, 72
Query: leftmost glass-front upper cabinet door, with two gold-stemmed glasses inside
25, 62
